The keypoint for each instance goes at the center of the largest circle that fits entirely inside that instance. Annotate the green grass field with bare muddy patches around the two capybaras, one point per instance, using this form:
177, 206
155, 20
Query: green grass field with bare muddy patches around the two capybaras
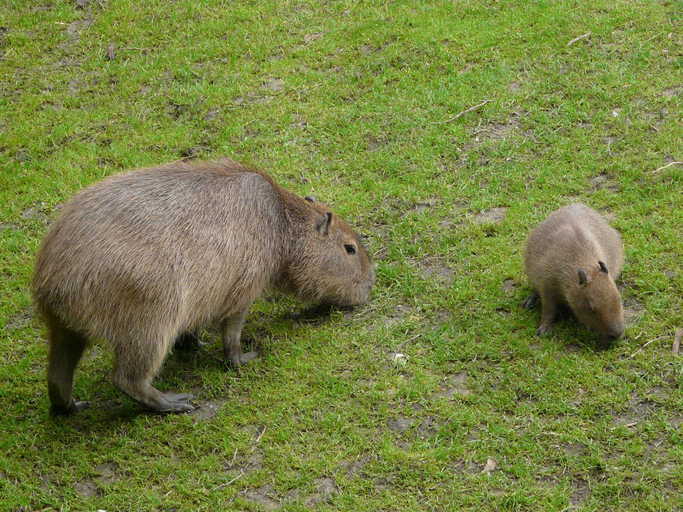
436, 396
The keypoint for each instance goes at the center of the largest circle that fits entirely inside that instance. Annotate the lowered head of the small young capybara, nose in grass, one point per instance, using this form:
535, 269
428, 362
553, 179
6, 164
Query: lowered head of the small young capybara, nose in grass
597, 303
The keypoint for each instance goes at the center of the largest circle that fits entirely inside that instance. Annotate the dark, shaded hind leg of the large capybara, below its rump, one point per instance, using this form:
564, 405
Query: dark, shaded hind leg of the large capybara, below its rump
66, 349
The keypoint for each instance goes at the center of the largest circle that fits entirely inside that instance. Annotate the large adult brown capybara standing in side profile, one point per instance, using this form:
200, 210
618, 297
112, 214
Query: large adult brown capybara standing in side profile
141, 257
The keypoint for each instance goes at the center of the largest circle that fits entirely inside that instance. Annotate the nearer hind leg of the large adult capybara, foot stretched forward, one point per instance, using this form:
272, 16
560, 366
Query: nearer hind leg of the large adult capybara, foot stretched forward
136, 365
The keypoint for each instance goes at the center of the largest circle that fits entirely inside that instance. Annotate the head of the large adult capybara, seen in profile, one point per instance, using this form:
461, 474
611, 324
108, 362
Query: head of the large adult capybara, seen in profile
330, 264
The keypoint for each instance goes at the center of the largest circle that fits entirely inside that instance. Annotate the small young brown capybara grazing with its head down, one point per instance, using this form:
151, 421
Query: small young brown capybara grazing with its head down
562, 261
